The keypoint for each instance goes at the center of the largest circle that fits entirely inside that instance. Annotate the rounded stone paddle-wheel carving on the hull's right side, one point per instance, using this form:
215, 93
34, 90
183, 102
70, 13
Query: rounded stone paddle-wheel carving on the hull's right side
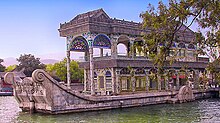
185, 94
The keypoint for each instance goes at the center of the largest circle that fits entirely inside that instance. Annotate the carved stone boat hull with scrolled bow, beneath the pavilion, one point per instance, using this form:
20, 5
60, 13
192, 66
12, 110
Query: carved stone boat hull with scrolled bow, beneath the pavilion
41, 93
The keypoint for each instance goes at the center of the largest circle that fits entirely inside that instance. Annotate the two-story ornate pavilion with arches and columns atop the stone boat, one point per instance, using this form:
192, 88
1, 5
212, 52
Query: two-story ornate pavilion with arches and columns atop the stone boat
134, 71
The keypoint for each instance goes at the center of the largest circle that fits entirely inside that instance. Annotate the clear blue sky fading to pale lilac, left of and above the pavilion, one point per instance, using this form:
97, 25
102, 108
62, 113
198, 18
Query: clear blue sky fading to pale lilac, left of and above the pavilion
30, 26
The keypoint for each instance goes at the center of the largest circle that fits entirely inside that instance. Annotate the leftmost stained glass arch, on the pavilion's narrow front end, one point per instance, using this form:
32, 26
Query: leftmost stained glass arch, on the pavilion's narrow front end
79, 44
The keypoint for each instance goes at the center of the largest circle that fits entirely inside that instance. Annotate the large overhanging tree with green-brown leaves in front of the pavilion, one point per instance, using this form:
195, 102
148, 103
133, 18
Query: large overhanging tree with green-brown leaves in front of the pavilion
165, 21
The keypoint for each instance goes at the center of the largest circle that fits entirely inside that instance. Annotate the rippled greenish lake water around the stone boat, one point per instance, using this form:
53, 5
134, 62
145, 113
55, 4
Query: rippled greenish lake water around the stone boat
193, 112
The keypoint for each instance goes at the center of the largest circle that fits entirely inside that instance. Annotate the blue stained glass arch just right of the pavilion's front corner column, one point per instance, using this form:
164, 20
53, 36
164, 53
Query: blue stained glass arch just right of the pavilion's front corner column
102, 41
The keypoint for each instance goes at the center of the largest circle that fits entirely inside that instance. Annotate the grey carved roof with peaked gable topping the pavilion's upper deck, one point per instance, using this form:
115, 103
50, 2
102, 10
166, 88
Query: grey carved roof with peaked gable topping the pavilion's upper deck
98, 21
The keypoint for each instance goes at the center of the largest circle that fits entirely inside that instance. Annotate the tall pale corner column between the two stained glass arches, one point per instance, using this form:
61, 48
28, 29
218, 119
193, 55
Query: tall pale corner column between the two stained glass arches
91, 71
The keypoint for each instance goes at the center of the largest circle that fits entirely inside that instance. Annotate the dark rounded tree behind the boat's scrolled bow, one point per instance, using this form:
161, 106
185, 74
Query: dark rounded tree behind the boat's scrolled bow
29, 63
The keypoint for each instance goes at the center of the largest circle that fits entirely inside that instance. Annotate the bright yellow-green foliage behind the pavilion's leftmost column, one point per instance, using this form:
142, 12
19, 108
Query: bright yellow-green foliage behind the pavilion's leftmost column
59, 70
